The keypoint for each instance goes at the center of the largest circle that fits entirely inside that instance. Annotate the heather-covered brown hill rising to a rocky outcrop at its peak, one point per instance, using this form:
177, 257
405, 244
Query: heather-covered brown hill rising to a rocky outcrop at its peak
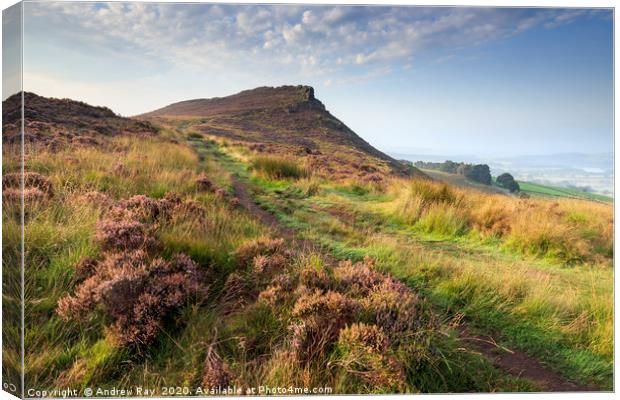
286, 120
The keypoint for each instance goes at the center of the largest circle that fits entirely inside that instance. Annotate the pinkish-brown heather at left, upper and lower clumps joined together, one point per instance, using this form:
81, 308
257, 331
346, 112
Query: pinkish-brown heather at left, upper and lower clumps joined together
134, 289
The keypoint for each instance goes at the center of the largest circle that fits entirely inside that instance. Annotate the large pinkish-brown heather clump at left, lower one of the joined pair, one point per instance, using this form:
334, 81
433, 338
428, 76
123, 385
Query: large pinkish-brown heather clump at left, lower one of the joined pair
136, 292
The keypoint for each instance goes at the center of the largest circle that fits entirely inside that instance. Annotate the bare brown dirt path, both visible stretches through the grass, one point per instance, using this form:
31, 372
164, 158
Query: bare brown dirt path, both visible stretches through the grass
512, 362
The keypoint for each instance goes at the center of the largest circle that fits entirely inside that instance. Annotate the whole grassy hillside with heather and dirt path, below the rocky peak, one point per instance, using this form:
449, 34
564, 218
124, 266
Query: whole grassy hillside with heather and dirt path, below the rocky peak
178, 255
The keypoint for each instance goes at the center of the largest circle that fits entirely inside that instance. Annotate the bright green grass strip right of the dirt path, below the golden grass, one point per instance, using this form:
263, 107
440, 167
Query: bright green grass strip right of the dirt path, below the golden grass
535, 306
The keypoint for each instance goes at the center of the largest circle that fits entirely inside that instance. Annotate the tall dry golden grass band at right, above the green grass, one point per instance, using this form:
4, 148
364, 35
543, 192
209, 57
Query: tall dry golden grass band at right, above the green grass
572, 231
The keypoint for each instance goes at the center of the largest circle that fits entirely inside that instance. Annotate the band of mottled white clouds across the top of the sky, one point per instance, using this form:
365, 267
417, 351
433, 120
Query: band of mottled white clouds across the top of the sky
310, 40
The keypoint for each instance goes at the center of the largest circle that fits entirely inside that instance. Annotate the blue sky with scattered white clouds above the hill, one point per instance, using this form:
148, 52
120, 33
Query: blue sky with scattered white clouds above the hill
496, 81
